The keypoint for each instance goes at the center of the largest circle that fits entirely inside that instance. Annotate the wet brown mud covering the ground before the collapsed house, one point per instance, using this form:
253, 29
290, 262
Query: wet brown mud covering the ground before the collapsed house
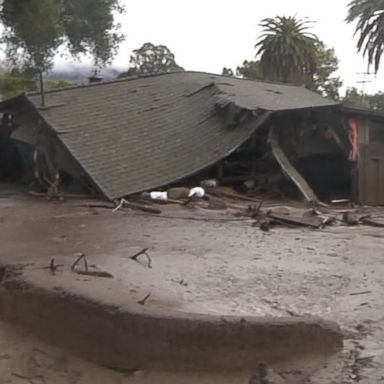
205, 262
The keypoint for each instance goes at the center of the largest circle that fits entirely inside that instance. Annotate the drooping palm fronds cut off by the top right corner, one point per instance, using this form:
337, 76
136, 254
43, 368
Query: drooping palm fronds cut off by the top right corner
369, 15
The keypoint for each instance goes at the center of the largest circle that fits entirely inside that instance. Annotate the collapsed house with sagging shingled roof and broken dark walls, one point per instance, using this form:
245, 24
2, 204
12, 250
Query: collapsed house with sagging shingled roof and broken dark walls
124, 137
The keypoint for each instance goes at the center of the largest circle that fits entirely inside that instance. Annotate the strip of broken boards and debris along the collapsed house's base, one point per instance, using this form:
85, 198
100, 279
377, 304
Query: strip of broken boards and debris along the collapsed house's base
262, 212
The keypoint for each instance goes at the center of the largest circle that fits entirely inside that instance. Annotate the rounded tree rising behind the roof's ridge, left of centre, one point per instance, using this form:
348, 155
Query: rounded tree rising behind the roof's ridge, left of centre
151, 58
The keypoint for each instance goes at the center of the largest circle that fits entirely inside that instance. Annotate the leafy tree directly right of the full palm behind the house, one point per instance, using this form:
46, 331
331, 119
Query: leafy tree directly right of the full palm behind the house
326, 65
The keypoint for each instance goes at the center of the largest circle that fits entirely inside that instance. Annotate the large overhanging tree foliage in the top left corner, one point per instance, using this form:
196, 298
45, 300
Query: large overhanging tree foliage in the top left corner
33, 30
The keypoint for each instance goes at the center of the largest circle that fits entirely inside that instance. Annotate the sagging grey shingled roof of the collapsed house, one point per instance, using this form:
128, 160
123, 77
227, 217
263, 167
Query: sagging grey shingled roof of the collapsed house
138, 134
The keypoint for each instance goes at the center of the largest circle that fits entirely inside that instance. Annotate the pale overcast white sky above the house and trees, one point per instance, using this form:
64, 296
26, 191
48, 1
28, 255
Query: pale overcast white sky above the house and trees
206, 35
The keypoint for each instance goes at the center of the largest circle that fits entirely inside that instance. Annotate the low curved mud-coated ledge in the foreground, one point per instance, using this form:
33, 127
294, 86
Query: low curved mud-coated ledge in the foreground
140, 338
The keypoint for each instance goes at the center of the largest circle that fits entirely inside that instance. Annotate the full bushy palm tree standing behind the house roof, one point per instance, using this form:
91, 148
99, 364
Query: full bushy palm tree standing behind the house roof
287, 50
